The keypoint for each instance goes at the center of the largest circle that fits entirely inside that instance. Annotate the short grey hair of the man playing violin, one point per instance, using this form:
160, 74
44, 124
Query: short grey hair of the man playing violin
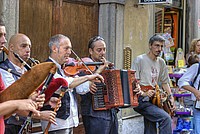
55, 40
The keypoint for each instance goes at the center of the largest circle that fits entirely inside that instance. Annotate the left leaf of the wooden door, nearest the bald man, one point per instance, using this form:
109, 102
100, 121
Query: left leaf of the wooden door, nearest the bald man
35, 20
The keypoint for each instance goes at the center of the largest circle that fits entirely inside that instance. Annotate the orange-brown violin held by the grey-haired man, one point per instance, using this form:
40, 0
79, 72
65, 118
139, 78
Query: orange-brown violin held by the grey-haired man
74, 67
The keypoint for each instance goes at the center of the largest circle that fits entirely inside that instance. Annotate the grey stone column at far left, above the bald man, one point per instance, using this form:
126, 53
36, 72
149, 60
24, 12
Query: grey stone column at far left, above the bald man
9, 12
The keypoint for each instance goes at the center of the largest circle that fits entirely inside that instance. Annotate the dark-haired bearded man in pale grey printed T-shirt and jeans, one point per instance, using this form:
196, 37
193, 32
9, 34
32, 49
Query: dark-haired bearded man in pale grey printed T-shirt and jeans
151, 70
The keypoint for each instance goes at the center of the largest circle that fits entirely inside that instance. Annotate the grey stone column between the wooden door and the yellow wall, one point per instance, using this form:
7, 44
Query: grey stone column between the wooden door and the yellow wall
111, 27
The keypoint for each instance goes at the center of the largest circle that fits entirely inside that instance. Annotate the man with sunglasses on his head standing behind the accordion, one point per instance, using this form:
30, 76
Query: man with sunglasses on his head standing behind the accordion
98, 121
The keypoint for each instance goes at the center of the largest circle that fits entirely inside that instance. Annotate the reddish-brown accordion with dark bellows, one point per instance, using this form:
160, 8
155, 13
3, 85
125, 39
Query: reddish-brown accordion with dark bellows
117, 90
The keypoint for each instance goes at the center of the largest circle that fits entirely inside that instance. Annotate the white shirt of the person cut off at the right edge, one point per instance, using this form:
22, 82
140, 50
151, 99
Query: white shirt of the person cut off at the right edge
189, 76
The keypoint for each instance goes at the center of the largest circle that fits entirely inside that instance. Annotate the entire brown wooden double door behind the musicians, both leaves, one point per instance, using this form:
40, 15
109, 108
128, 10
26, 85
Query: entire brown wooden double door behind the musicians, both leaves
40, 19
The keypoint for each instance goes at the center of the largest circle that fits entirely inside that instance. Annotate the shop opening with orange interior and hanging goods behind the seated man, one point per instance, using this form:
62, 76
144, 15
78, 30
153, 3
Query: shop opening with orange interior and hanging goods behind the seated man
167, 24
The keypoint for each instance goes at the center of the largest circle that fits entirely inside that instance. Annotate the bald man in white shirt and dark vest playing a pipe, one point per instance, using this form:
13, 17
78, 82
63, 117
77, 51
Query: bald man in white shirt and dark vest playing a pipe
20, 44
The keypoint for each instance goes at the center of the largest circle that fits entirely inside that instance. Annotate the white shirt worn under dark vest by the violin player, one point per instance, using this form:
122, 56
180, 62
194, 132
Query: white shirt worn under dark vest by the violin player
72, 120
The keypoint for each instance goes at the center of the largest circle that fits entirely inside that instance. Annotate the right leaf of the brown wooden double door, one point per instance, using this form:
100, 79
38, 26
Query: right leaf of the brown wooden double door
80, 23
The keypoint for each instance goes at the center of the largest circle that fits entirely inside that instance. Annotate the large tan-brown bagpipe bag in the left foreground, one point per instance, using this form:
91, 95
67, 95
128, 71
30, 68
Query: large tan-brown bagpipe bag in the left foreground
28, 82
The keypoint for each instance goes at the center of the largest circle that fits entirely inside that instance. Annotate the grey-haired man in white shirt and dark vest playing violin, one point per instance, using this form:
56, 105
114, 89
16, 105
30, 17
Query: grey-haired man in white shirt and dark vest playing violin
67, 116
